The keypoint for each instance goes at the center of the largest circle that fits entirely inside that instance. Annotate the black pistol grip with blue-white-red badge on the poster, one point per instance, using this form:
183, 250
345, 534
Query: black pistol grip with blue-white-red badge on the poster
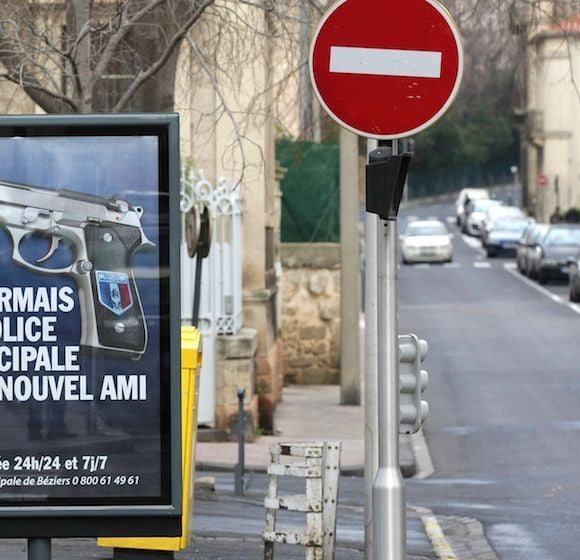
119, 319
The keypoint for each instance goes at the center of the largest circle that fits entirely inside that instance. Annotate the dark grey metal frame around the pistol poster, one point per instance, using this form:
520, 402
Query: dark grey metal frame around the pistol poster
160, 517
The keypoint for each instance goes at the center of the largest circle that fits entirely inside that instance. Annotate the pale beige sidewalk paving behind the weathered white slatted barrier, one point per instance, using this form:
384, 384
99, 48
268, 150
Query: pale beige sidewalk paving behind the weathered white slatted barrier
306, 413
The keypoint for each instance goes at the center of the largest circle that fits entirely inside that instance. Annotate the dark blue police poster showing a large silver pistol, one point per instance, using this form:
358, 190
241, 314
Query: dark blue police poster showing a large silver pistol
84, 318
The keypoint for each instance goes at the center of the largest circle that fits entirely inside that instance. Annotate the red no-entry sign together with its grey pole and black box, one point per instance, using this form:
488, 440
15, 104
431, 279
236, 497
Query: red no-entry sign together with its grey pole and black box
340, 79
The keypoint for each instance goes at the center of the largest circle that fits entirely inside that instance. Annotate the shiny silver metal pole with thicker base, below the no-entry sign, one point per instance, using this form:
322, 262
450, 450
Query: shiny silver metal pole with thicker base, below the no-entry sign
389, 507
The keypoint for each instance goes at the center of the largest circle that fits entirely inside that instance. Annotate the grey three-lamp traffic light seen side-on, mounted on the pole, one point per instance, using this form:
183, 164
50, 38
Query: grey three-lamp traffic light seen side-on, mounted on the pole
412, 382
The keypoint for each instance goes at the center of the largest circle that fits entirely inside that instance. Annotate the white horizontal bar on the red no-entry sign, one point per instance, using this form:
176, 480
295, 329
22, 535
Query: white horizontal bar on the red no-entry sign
385, 62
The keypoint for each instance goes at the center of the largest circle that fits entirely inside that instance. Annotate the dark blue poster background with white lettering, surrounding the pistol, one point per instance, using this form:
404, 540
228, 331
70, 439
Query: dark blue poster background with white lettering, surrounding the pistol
94, 436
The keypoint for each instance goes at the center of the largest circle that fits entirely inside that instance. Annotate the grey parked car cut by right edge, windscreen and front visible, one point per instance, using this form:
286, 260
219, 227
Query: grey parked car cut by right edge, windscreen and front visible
554, 252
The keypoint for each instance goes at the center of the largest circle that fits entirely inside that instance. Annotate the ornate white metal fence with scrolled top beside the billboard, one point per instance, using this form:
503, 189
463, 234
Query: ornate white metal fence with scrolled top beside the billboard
220, 305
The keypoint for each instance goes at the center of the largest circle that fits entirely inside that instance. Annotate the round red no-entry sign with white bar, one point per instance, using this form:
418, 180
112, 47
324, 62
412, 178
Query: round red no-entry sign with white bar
386, 68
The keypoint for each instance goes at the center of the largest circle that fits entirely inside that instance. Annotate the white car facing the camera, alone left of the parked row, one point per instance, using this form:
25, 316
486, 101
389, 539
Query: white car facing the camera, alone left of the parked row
426, 241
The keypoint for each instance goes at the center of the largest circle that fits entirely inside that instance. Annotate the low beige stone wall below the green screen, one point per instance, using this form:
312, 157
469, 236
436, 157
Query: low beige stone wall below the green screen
311, 313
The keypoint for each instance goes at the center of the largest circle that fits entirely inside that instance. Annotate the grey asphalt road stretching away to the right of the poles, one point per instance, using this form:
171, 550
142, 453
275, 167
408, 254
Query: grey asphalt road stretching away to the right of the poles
504, 394
